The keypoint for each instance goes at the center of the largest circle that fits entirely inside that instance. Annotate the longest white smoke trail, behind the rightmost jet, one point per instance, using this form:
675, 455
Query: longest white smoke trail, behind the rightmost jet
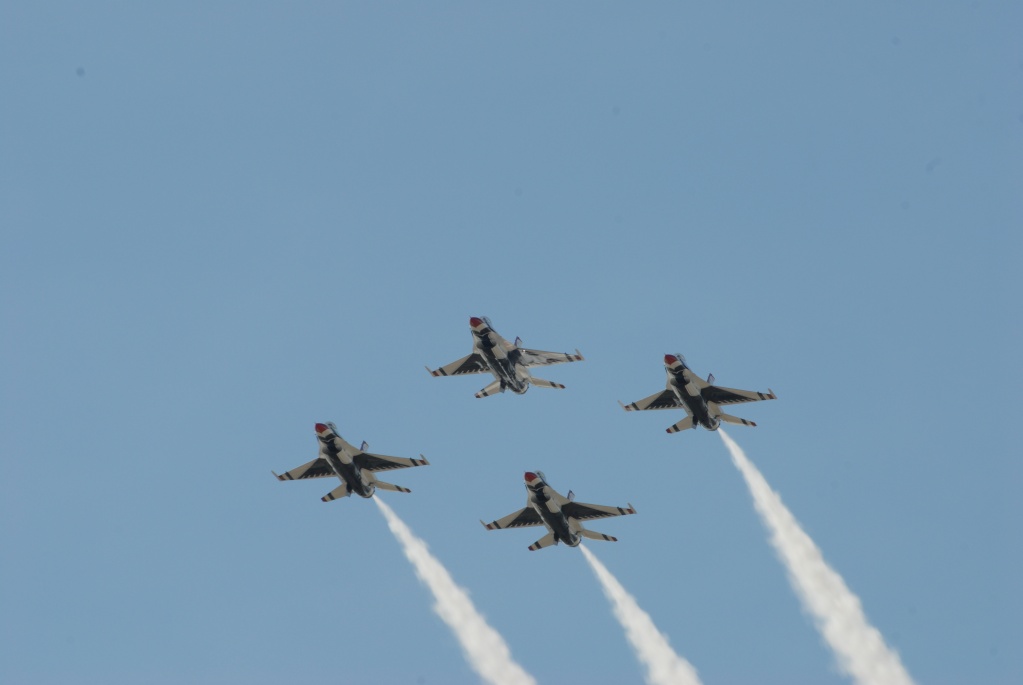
837, 613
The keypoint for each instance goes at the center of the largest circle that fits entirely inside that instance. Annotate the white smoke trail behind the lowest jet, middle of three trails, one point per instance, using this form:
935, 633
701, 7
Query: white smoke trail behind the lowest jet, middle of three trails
664, 667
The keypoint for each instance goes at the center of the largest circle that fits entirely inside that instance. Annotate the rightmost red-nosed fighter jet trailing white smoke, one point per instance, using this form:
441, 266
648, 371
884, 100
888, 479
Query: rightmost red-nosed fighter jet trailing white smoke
701, 399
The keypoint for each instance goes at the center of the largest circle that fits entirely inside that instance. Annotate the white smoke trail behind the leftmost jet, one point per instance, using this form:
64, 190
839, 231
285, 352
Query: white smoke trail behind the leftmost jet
483, 647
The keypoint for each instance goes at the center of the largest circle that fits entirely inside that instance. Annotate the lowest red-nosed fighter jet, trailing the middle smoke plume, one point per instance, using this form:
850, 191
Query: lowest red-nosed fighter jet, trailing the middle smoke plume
545, 507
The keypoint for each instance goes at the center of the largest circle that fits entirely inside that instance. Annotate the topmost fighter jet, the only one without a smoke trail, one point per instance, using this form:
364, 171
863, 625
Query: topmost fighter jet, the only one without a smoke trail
510, 363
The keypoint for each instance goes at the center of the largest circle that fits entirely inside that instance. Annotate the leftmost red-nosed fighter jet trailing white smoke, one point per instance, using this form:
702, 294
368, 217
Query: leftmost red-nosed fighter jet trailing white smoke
353, 466
